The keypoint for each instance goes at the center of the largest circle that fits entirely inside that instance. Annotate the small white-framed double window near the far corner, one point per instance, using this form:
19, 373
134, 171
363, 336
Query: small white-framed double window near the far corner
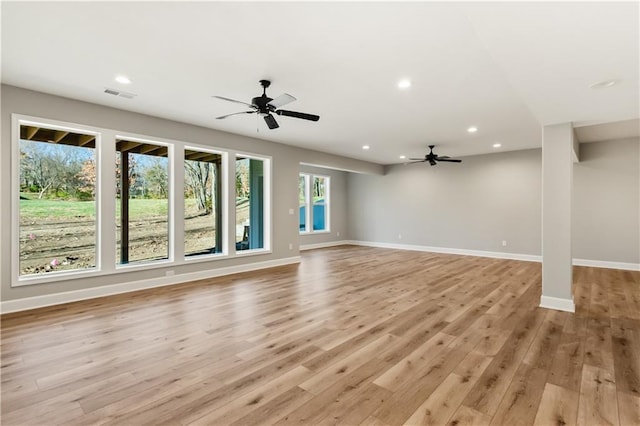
313, 196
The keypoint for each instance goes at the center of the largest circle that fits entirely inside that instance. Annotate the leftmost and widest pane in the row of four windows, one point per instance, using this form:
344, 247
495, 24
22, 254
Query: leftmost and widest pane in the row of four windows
57, 201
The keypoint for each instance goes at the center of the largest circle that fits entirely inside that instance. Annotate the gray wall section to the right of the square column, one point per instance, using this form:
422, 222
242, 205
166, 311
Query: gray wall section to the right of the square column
606, 202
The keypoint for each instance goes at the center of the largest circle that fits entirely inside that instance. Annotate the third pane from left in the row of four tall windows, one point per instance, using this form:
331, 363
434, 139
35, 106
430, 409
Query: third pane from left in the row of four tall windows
202, 203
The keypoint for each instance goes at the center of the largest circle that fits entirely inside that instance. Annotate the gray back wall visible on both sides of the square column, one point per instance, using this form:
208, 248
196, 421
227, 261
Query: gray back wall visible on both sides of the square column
489, 198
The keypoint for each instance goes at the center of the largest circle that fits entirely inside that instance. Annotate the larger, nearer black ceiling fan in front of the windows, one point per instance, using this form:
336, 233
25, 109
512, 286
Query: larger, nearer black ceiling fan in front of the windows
266, 106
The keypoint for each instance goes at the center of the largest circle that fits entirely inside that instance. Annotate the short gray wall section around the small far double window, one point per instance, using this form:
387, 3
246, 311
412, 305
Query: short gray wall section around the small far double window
338, 206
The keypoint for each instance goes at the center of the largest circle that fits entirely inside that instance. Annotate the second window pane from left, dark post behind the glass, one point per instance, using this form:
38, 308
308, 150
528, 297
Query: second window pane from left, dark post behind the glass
142, 205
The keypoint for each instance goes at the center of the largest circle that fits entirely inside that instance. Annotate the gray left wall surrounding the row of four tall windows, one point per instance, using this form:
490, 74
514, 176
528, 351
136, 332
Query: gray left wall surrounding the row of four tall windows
285, 165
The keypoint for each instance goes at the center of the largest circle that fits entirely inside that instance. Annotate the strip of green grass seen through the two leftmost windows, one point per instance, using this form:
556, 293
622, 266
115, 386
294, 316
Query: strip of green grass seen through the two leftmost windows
54, 209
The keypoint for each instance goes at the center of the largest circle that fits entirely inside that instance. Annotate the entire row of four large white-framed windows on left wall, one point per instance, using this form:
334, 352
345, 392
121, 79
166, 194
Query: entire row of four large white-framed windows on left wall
89, 201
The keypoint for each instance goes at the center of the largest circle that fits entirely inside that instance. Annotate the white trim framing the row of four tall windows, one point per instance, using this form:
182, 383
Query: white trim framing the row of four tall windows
106, 263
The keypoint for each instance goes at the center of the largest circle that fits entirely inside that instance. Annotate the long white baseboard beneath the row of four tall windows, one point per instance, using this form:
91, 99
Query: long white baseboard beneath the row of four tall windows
109, 290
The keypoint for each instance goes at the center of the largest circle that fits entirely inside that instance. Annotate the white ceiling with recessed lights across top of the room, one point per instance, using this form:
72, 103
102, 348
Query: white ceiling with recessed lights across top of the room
507, 68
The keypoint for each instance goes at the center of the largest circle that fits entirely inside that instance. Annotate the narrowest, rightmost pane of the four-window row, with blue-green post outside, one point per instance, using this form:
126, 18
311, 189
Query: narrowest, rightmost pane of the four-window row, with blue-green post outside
249, 203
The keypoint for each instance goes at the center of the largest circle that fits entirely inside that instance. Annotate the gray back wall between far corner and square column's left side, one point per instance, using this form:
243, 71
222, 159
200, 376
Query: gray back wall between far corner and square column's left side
475, 205
